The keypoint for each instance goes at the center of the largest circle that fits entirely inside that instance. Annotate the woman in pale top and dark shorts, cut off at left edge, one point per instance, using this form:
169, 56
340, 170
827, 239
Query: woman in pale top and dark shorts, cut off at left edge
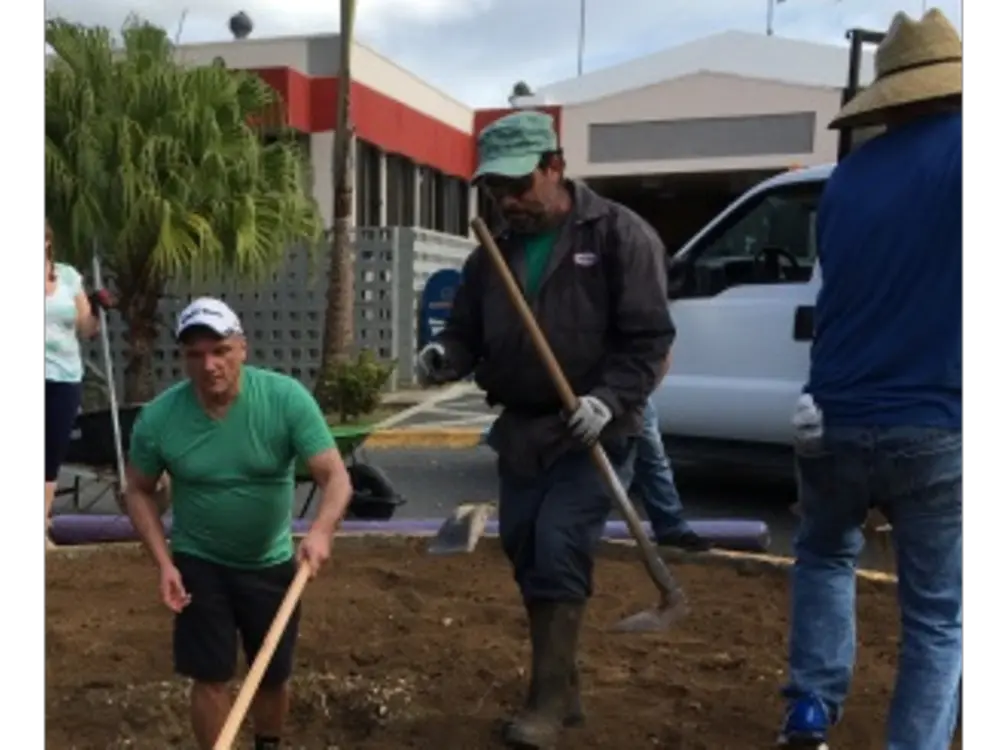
68, 314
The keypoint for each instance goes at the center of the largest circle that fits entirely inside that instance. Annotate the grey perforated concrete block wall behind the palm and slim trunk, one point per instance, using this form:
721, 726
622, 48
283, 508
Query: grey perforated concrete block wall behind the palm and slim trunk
283, 316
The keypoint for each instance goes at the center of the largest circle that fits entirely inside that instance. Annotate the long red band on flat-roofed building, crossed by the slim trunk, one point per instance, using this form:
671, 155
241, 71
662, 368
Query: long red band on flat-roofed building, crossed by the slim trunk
310, 104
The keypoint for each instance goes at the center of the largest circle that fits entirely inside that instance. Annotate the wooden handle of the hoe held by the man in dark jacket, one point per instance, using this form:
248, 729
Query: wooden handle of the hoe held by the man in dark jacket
670, 590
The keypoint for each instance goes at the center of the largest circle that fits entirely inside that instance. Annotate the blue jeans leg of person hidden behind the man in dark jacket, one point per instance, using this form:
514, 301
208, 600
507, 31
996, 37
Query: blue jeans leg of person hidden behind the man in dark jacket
654, 479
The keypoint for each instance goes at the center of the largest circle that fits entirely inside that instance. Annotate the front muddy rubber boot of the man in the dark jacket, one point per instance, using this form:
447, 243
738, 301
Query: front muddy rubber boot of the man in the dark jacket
555, 630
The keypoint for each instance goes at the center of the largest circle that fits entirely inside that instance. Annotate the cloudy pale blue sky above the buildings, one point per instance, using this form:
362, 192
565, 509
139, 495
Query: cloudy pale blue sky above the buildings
476, 49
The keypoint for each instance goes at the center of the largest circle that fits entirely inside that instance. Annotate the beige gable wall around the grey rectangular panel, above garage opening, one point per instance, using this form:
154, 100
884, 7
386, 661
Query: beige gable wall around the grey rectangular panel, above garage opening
701, 95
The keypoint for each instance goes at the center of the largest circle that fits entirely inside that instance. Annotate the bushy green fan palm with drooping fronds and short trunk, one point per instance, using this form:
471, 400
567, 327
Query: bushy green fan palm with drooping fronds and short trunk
162, 166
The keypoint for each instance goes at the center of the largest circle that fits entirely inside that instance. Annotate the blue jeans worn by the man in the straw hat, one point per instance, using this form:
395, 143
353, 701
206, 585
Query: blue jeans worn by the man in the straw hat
915, 476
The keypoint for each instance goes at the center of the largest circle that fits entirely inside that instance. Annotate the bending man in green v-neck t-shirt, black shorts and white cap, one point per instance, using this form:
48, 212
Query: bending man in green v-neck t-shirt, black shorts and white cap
229, 438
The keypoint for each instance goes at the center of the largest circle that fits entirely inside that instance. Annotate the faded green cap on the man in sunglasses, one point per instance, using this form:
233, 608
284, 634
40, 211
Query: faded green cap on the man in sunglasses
512, 145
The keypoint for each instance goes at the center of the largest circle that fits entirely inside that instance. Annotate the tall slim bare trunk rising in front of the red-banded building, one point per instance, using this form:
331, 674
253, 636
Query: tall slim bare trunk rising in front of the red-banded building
338, 331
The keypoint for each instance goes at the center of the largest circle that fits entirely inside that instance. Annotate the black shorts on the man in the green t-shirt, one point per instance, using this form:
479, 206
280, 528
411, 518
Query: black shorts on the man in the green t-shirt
230, 605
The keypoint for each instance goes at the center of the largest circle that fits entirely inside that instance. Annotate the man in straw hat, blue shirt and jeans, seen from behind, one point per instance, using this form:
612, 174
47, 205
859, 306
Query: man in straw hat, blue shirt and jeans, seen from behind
881, 421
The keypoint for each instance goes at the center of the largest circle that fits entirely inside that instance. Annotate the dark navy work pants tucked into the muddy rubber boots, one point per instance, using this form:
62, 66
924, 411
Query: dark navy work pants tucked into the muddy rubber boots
551, 524
